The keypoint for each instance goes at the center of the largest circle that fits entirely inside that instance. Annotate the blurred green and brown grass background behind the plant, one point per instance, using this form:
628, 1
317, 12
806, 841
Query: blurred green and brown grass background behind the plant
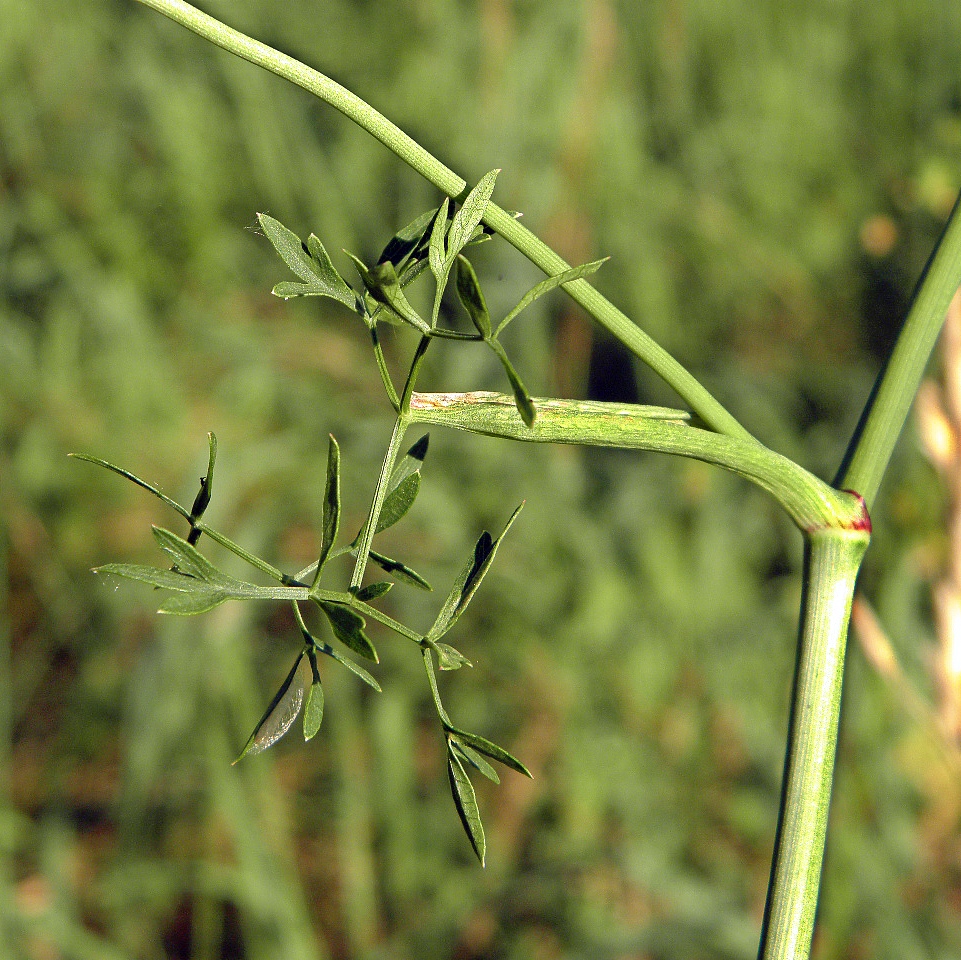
768, 180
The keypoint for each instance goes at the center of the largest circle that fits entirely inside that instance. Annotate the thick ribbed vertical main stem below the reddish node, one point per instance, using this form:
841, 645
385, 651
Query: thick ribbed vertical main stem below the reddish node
832, 559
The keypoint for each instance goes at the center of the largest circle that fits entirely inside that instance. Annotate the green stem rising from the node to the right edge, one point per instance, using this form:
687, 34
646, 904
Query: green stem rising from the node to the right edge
883, 418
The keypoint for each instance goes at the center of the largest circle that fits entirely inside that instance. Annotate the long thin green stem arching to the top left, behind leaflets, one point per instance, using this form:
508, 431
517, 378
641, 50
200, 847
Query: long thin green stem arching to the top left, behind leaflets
687, 387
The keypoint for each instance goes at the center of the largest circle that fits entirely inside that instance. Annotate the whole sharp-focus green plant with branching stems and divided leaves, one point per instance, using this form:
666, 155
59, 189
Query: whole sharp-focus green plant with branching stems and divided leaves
833, 518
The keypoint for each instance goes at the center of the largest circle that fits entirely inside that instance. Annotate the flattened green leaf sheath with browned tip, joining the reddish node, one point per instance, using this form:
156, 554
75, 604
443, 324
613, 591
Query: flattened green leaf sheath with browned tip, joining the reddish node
810, 502
